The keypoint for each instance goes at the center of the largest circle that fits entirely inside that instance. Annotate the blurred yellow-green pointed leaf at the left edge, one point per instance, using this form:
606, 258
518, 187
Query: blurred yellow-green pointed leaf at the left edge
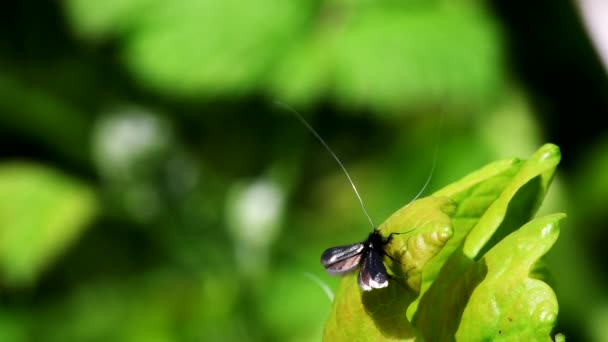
41, 213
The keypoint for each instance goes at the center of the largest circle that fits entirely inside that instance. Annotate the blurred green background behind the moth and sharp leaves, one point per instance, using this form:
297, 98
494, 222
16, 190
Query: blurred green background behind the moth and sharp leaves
151, 191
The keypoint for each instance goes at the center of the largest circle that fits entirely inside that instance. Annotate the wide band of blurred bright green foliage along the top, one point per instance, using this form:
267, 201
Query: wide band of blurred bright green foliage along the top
376, 55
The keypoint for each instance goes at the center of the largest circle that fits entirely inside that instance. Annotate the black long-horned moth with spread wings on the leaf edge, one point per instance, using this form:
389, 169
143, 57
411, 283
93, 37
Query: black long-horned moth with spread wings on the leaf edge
367, 254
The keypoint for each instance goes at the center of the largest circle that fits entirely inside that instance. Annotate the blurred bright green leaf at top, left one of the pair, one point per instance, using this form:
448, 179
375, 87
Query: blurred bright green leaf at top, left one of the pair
197, 47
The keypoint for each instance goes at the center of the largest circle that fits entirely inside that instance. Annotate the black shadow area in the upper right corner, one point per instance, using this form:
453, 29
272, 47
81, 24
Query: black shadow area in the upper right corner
552, 55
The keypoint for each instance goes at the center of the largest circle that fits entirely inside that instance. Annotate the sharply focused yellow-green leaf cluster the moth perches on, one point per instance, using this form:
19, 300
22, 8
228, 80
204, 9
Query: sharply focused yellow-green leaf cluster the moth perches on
465, 271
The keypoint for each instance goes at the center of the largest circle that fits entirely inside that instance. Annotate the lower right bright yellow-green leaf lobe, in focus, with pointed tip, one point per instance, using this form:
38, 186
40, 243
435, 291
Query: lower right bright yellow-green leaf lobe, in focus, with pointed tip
508, 303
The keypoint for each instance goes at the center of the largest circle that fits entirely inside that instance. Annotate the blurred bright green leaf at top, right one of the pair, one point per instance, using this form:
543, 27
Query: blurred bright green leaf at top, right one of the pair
392, 57
